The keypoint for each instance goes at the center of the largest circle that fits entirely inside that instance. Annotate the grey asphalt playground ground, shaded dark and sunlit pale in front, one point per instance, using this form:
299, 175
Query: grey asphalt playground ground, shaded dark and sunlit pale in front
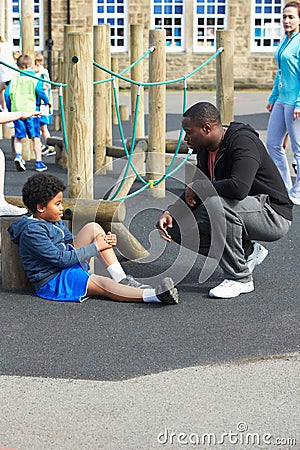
105, 375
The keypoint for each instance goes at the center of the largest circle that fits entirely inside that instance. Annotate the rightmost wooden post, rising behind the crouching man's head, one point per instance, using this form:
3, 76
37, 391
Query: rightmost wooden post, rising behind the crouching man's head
224, 73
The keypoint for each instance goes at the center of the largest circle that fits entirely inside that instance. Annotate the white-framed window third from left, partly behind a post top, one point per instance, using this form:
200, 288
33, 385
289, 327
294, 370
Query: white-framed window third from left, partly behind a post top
169, 15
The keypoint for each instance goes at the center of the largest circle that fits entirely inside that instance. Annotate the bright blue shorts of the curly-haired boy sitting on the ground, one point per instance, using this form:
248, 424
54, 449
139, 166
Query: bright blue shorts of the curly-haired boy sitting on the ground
70, 285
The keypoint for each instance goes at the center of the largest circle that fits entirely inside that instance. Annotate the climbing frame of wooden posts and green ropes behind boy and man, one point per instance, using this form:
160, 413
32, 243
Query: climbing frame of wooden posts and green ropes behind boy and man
87, 118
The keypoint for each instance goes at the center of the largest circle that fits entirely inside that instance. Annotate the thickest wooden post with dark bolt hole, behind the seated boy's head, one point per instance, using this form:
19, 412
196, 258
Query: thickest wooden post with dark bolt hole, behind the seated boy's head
80, 115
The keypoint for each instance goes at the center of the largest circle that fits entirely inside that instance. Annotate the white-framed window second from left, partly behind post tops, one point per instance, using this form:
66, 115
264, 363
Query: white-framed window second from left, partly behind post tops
114, 13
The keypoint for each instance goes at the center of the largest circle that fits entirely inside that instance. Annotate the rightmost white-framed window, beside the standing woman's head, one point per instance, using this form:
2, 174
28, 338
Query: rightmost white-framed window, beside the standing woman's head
266, 28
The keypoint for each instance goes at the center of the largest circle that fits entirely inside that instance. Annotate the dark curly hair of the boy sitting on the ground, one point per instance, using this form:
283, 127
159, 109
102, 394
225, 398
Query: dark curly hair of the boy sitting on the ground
40, 189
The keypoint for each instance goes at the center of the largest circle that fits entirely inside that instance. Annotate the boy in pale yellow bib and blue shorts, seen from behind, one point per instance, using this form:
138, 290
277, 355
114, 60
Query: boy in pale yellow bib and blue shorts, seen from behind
25, 94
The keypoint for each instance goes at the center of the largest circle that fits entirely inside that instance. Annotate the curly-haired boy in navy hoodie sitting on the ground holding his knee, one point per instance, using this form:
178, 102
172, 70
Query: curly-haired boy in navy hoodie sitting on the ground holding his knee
56, 262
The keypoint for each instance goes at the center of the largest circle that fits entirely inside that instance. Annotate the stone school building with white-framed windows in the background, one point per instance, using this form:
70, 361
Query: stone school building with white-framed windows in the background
190, 32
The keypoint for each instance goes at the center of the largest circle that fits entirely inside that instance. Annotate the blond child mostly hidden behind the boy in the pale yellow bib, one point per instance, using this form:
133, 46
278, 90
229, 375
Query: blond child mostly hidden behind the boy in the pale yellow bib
46, 117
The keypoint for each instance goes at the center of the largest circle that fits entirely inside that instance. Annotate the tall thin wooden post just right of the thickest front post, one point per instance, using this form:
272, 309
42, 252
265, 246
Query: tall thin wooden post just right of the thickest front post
100, 94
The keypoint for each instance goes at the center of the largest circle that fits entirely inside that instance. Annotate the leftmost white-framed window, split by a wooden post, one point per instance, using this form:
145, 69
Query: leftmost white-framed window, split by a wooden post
15, 24
